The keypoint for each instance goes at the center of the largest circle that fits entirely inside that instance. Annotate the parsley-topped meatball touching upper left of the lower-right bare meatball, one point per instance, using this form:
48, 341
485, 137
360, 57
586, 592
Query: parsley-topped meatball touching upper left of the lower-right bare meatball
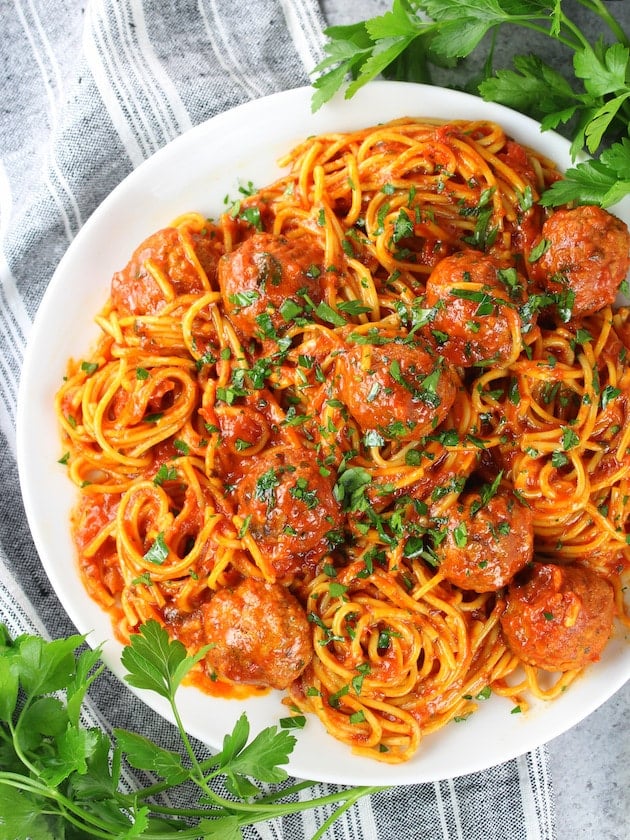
486, 544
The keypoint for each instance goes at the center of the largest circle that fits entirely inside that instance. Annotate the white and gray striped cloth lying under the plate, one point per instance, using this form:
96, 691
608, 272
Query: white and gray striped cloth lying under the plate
90, 89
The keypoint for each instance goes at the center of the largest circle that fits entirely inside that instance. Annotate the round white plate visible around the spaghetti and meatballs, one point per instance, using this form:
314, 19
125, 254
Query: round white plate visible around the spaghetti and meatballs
195, 172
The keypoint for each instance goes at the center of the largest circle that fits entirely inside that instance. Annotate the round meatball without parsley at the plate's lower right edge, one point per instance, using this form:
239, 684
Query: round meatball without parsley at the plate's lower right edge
558, 617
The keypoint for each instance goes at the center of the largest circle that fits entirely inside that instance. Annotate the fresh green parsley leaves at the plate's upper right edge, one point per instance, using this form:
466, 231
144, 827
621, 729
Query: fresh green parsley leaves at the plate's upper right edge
592, 107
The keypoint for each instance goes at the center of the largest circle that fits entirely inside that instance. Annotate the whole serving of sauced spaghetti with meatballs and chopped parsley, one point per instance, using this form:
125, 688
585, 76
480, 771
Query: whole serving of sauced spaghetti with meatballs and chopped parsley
330, 434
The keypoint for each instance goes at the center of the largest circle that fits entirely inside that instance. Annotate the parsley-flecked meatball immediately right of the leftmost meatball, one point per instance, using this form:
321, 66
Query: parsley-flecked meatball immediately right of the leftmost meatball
262, 274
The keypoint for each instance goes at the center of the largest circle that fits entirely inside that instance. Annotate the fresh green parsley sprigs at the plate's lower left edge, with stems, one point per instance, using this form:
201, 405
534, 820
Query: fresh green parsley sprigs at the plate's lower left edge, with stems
62, 779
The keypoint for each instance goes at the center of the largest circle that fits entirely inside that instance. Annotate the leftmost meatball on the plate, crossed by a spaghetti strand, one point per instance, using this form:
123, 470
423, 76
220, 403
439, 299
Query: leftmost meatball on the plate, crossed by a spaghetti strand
135, 291
